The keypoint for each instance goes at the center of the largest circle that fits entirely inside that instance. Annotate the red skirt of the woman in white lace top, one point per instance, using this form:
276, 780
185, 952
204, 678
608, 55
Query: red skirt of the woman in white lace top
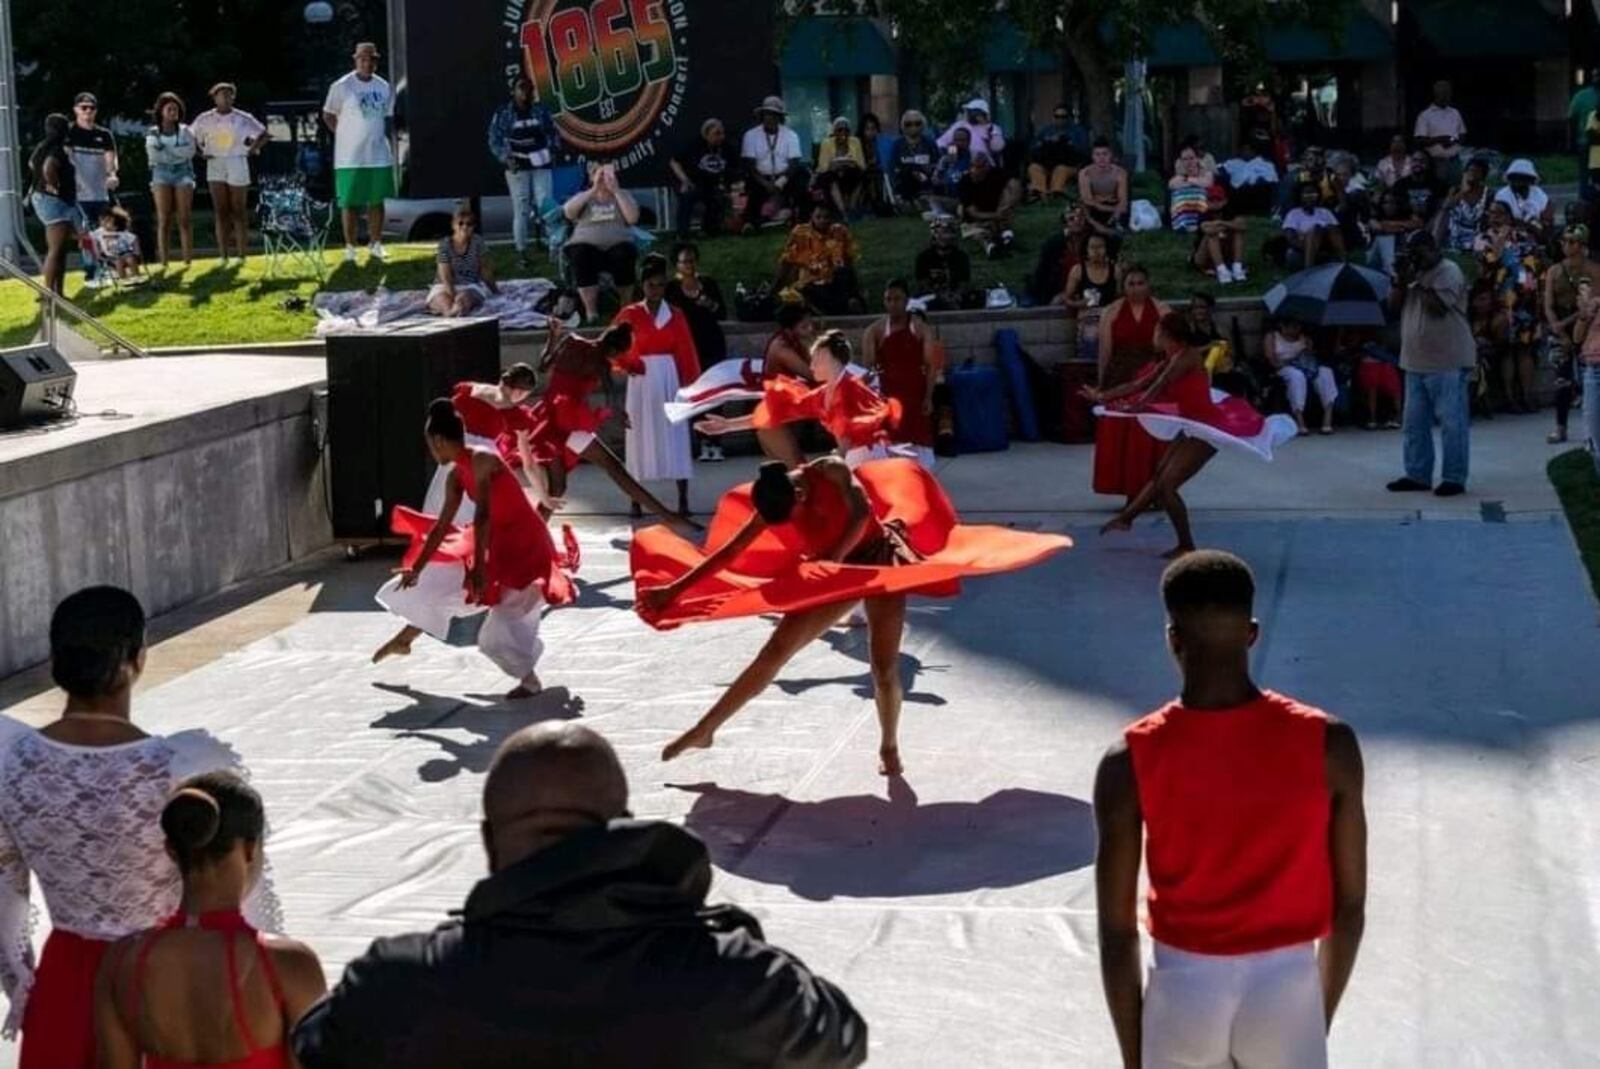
58, 1027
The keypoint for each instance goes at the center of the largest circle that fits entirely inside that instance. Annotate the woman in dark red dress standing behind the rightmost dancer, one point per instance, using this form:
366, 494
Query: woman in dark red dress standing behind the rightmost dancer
1126, 457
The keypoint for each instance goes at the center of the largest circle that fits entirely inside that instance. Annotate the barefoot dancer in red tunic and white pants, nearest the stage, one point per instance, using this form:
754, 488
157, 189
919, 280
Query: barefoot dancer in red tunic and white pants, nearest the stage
505, 563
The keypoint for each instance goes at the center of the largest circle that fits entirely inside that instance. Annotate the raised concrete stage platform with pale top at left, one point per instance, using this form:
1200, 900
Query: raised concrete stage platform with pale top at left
178, 478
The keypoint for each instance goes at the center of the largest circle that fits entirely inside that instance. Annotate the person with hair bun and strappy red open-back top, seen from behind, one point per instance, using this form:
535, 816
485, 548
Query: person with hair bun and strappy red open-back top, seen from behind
207, 990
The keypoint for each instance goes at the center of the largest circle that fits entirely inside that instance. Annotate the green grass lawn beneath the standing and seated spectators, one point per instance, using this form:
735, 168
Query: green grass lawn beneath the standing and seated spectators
214, 306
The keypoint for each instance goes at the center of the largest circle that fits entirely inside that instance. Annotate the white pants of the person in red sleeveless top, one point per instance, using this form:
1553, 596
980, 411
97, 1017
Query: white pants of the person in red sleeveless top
1241, 1012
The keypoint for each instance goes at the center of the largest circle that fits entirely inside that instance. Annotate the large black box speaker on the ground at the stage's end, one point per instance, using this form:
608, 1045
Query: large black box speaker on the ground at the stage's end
380, 385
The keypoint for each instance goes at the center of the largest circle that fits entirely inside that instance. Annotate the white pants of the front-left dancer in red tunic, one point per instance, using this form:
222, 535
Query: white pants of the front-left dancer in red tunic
510, 636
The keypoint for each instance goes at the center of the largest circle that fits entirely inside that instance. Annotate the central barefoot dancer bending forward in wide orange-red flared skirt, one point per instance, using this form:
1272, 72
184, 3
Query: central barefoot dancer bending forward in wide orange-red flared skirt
807, 545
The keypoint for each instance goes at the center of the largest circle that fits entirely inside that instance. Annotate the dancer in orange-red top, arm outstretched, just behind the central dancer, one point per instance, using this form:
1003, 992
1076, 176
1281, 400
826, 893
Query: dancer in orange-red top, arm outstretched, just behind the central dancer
850, 410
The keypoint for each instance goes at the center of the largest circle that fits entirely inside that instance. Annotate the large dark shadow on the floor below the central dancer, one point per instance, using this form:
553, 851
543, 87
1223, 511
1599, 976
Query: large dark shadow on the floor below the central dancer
870, 847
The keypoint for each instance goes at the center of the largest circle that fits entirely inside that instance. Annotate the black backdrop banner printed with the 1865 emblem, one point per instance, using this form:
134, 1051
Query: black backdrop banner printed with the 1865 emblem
628, 81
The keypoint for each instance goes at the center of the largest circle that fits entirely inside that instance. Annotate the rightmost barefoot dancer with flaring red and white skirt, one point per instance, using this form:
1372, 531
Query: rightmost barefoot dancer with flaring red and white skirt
1175, 404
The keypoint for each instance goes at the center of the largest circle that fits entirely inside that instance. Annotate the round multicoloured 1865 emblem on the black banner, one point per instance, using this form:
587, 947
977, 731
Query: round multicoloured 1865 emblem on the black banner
614, 73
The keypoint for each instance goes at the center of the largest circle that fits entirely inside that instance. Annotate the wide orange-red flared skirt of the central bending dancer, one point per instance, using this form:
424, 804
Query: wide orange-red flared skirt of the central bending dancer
774, 577
